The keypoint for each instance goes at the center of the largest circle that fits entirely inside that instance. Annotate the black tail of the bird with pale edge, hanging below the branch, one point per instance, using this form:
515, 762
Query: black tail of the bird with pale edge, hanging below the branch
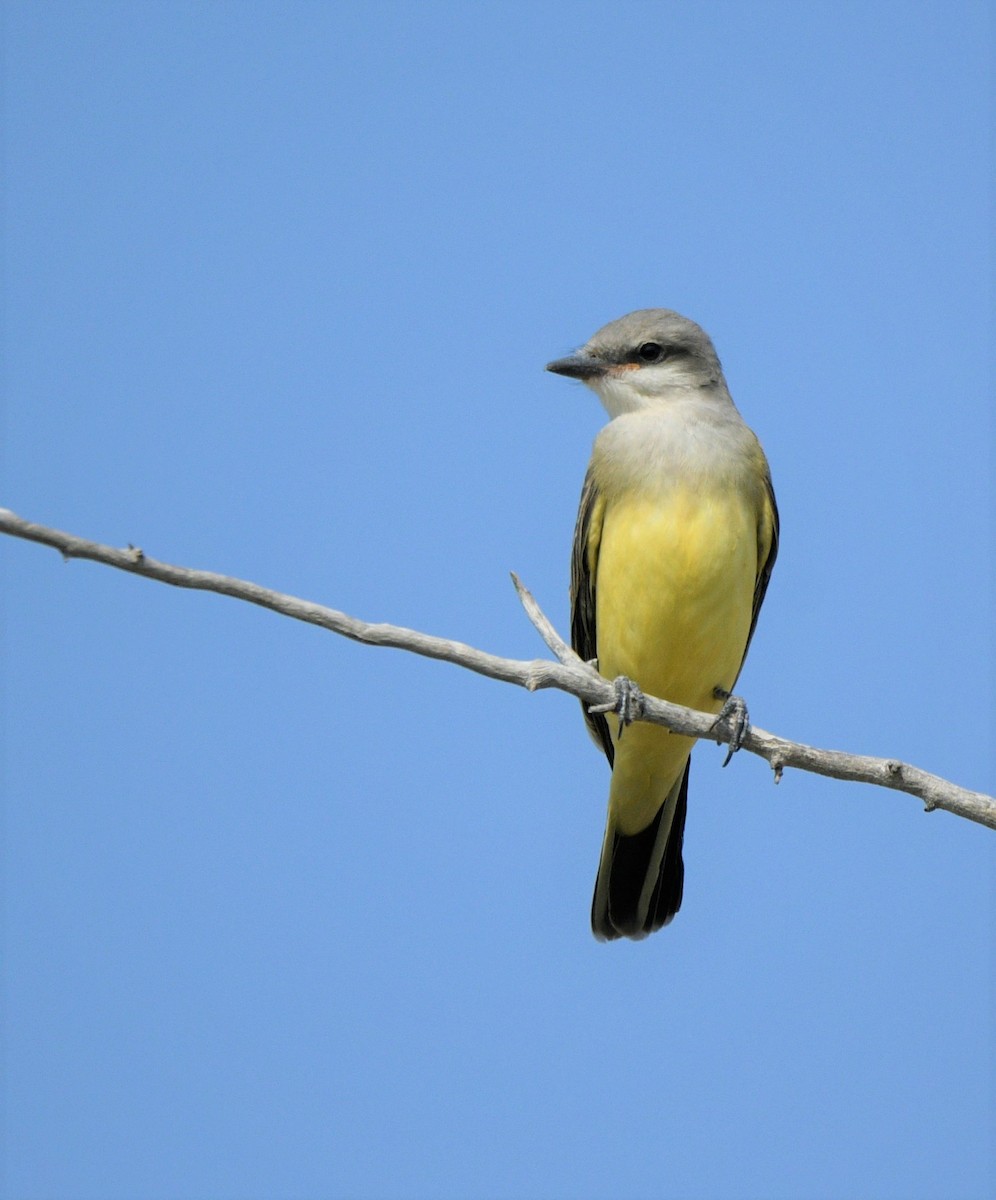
640, 880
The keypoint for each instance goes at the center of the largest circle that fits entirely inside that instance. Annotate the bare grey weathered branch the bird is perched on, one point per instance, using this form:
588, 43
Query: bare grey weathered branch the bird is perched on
569, 674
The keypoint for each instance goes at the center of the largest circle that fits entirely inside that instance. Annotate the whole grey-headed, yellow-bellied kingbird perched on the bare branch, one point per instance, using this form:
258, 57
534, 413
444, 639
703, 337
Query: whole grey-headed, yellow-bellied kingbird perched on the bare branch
675, 543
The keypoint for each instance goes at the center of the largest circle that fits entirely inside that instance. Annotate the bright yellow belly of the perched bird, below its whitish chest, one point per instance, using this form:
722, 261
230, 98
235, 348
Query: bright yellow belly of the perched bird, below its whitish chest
674, 598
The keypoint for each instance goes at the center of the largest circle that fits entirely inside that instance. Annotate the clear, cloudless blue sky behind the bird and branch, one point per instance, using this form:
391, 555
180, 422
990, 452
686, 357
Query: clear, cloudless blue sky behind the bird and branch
289, 917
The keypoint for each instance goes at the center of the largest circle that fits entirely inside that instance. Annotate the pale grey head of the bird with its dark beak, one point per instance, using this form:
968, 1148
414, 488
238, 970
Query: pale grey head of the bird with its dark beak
644, 359
